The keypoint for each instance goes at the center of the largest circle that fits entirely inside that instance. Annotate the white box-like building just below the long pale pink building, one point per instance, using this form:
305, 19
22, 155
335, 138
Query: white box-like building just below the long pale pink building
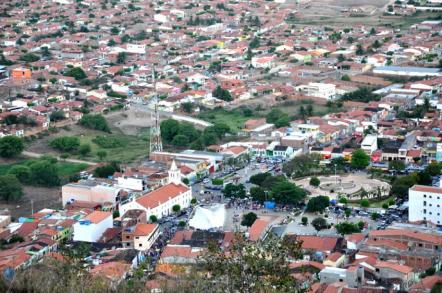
92, 227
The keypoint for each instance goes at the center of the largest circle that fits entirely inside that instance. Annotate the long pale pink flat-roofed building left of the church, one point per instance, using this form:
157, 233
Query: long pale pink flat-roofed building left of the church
89, 191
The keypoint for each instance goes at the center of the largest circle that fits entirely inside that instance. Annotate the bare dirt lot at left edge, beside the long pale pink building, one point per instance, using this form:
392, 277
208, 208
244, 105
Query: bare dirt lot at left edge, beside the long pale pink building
42, 197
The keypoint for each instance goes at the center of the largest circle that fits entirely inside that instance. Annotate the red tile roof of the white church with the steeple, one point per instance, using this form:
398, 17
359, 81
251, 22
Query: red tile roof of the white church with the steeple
161, 195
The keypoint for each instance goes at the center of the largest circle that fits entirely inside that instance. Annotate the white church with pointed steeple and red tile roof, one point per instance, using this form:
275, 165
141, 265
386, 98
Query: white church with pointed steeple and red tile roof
160, 201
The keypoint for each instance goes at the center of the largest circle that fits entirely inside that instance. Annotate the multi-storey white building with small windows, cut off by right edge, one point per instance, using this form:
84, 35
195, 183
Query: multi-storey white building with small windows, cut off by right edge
425, 204
